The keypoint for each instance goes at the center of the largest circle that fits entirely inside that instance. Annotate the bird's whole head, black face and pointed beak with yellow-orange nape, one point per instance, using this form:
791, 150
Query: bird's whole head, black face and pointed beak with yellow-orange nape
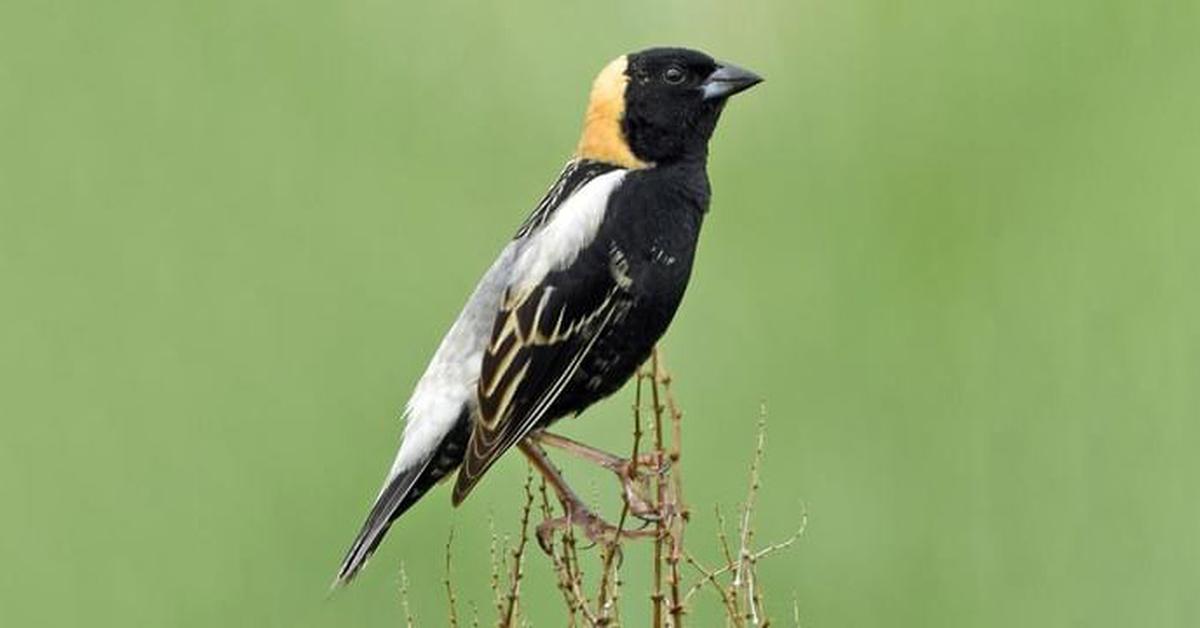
659, 106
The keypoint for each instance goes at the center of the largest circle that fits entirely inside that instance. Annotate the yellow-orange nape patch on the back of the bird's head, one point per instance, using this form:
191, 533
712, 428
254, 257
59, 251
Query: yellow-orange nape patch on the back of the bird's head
603, 139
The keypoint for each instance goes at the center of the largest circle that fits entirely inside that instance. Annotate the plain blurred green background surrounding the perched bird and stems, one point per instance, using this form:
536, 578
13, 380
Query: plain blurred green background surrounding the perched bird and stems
953, 247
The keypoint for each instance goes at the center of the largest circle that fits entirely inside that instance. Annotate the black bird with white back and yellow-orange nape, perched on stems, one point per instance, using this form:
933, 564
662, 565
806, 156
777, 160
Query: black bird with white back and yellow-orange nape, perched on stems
578, 300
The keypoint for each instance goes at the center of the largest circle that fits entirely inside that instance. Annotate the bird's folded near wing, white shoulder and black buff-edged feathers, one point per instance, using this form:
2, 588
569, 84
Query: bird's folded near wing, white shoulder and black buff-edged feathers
561, 298
